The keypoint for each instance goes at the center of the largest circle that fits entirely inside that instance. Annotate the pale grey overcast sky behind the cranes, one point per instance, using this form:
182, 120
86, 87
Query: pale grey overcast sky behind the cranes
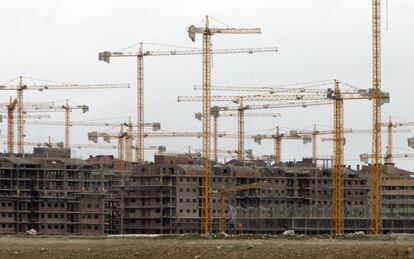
317, 40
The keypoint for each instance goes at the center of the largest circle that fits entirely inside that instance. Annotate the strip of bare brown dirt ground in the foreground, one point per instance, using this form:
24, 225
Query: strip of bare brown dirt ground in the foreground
196, 247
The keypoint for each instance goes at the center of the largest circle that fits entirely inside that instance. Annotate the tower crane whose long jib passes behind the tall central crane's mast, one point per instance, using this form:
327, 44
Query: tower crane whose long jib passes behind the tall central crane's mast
140, 54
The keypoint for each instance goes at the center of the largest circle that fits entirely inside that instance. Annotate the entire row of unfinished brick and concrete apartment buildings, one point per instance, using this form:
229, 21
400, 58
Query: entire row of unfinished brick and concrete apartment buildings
54, 194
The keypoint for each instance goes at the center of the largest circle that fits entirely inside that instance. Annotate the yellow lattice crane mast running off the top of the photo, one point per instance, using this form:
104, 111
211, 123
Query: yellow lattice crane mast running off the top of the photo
376, 169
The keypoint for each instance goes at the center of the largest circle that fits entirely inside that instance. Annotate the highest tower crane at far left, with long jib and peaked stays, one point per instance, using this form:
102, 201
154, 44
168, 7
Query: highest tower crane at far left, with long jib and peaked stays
51, 85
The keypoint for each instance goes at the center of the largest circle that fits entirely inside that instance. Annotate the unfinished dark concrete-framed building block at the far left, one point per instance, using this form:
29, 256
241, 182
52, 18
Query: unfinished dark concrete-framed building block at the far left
52, 195
